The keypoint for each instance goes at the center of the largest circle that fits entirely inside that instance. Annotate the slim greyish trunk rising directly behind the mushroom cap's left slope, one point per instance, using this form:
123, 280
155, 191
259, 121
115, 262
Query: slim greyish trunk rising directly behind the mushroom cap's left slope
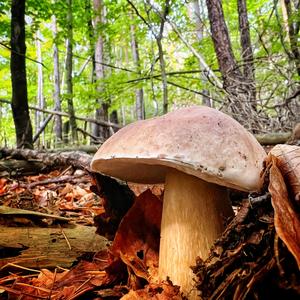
139, 93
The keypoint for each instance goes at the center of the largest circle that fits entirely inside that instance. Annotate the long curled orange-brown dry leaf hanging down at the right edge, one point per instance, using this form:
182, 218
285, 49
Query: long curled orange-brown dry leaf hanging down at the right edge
286, 219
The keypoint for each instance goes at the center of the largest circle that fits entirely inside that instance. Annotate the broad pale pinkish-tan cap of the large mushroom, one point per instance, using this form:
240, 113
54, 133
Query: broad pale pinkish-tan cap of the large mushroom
197, 140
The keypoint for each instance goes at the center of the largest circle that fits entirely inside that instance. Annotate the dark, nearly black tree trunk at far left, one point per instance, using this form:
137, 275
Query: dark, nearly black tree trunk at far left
18, 76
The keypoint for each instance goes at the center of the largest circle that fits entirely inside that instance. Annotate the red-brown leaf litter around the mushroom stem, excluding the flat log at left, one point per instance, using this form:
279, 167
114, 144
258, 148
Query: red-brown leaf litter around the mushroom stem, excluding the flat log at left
257, 257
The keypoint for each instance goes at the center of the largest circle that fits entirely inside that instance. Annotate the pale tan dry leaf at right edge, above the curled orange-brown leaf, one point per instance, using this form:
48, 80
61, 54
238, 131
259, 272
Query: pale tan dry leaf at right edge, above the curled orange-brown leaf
288, 161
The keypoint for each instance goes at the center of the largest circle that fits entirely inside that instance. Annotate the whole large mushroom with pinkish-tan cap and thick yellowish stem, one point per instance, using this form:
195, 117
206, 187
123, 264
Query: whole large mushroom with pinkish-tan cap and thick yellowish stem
197, 152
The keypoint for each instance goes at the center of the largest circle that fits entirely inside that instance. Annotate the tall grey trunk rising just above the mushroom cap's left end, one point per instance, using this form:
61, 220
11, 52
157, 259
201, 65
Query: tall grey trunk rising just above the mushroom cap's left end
102, 110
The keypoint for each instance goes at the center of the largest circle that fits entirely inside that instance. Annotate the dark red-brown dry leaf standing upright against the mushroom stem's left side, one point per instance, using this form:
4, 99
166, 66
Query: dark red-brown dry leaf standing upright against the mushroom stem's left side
137, 239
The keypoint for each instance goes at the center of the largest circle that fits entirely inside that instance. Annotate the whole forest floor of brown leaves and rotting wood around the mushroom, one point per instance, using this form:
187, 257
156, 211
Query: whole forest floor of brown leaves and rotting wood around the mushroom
66, 235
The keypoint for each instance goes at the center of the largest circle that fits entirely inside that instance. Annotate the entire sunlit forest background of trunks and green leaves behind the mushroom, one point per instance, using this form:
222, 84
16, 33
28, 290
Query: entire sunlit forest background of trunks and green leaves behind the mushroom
91, 67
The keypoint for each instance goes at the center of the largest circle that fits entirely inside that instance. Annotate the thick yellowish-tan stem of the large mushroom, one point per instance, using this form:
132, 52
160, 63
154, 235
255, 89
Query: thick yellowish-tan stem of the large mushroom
193, 218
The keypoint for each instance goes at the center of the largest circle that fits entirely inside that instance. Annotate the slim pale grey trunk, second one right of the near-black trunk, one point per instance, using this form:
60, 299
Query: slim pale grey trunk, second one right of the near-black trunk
56, 93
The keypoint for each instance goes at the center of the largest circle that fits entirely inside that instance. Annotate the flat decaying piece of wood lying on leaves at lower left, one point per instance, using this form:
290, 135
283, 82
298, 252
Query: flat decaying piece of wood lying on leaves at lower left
38, 248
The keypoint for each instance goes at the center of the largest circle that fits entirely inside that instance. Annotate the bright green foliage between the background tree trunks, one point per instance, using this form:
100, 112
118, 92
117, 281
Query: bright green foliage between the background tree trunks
275, 72
